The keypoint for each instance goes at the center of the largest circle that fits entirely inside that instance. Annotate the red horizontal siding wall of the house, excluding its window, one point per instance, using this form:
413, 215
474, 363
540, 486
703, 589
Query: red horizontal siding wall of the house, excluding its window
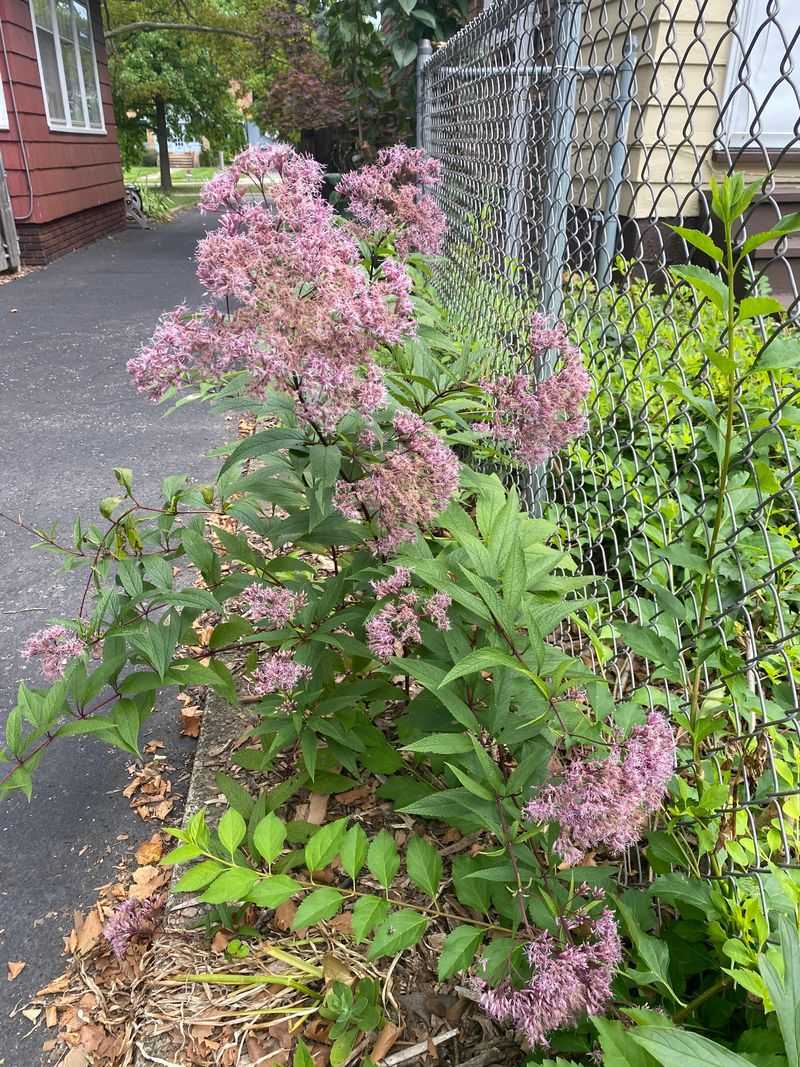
71, 173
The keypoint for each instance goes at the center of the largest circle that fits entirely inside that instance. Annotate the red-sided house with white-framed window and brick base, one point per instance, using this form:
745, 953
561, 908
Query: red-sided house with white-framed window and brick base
58, 138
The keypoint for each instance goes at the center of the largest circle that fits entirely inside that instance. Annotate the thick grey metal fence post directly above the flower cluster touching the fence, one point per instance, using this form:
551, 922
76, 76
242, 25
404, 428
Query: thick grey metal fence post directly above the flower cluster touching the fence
562, 108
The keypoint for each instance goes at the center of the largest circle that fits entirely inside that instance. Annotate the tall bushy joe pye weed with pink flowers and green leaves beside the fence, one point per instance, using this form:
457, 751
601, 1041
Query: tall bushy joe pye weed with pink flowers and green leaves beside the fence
392, 616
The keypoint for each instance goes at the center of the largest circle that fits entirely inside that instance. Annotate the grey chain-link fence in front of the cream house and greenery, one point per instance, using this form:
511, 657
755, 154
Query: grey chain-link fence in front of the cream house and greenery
573, 134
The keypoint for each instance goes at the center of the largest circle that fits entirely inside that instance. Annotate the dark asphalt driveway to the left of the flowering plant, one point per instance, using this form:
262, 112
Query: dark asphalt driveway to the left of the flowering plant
69, 415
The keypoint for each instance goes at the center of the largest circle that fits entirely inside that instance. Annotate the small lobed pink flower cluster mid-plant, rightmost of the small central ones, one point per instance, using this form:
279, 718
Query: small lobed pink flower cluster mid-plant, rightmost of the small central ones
397, 625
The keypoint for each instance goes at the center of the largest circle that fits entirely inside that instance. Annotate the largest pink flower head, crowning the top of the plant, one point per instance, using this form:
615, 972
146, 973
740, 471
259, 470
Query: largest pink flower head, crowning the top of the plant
302, 314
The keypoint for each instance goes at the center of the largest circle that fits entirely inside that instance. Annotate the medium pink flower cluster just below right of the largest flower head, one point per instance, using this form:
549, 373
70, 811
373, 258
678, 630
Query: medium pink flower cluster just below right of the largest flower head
410, 486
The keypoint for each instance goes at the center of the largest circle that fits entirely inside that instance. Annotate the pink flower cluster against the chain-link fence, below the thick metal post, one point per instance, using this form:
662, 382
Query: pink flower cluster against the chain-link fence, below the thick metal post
535, 422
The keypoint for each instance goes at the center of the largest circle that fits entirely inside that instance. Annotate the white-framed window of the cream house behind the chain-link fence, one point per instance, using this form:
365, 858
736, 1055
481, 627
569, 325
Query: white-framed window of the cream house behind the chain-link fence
741, 114
